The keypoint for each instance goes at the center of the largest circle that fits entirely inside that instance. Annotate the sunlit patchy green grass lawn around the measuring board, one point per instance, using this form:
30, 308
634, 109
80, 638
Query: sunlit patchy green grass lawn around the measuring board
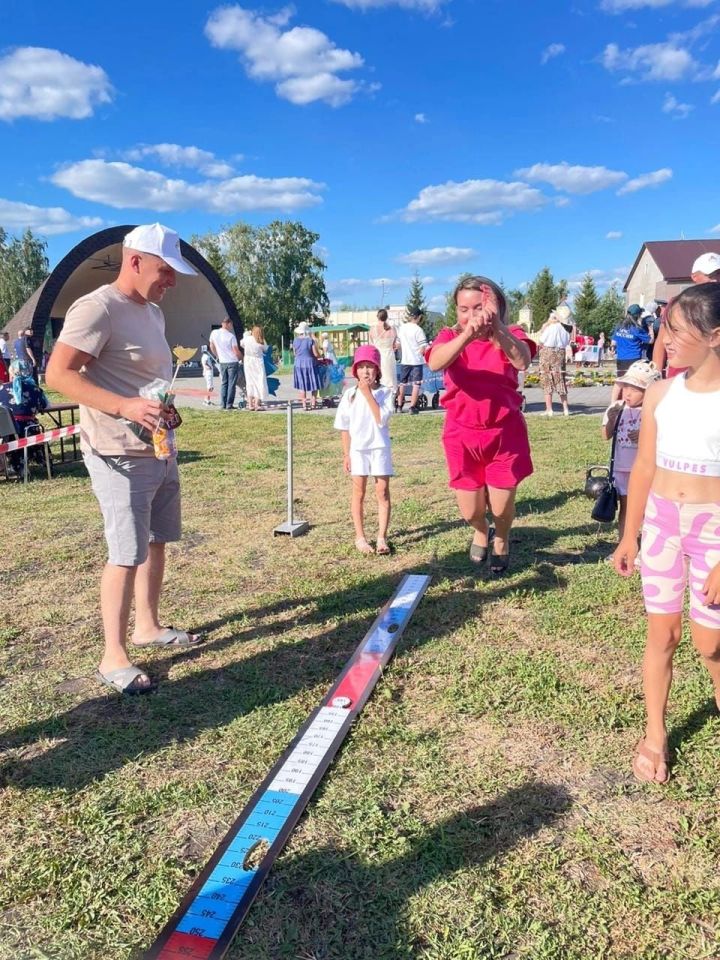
482, 806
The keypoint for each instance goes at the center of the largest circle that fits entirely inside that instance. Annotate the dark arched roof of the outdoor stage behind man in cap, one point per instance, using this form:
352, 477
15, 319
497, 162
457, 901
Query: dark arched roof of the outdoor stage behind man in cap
191, 308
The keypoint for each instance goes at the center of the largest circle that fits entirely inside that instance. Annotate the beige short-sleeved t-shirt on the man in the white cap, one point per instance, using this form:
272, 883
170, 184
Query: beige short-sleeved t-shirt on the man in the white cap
127, 341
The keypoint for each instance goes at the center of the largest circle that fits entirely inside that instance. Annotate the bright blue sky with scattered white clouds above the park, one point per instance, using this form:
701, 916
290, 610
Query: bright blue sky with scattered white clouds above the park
431, 135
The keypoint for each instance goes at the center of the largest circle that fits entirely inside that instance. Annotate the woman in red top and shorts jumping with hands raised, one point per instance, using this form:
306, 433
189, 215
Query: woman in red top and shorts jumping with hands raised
485, 436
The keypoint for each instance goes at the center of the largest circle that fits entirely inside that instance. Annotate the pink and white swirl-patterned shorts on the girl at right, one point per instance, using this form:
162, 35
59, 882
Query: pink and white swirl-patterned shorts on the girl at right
680, 544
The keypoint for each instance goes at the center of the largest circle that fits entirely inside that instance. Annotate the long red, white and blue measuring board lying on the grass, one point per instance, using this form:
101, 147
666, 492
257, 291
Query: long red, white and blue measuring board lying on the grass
209, 916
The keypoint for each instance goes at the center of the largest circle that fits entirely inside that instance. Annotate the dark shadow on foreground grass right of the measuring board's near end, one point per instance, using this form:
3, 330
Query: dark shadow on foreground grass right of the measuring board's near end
328, 904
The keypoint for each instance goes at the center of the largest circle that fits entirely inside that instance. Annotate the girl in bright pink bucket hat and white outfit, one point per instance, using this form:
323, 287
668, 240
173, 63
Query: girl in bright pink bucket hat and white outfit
363, 416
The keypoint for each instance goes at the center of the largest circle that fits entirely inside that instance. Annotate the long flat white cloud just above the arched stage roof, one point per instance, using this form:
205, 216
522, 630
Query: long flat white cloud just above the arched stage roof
124, 186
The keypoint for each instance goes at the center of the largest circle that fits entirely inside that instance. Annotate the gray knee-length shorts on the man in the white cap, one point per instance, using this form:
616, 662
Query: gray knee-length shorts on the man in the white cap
140, 502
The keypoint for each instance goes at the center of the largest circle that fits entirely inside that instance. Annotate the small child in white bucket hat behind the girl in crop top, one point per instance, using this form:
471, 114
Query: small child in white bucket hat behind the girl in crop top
628, 409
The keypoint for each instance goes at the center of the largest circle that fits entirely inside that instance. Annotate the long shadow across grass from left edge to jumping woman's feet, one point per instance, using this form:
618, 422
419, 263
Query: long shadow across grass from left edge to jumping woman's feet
103, 733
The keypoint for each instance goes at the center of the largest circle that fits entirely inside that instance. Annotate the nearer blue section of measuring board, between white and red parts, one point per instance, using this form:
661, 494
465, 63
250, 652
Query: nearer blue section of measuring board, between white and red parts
224, 889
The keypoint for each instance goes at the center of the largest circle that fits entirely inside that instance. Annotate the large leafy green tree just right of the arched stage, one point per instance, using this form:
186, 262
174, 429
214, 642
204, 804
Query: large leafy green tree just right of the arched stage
273, 274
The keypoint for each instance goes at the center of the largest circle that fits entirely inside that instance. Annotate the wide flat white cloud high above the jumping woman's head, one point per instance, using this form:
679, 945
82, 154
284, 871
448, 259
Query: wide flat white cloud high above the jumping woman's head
485, 202
